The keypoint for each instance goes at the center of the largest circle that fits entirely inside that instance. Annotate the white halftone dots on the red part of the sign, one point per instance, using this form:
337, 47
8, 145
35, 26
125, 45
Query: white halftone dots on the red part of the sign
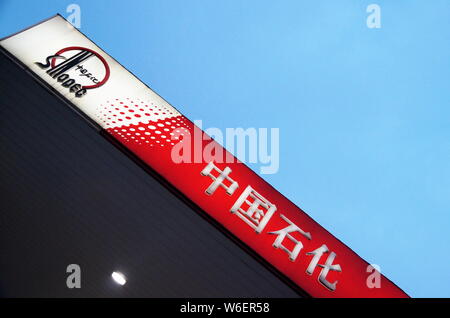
162, 133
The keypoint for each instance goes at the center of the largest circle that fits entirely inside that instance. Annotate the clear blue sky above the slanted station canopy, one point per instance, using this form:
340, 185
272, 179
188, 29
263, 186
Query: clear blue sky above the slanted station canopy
363, 113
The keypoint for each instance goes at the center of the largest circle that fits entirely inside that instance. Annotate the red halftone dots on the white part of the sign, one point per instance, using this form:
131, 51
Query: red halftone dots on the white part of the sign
131, 111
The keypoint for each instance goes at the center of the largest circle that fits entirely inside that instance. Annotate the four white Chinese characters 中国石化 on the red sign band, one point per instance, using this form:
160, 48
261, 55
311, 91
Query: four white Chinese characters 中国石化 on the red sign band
256, 211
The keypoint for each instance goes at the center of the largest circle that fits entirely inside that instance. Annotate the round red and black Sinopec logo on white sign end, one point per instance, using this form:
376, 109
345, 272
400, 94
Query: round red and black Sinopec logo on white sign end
77, 68
